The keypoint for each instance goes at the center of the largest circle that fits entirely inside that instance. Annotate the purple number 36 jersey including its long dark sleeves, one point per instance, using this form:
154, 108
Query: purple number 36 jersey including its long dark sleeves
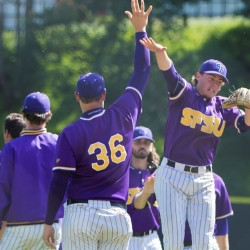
95, 150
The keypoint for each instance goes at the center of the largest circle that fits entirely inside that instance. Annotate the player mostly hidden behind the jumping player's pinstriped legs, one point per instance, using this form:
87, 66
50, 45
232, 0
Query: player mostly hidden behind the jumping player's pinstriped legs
223, 211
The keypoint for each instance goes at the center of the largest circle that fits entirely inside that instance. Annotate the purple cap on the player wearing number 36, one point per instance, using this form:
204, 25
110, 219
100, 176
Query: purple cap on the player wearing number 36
90, 85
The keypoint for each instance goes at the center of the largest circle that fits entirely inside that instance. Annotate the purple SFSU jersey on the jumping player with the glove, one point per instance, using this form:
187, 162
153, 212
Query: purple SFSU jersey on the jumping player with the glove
194, 124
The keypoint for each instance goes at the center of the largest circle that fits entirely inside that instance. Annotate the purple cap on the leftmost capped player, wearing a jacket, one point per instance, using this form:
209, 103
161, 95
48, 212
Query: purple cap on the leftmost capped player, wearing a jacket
36, 103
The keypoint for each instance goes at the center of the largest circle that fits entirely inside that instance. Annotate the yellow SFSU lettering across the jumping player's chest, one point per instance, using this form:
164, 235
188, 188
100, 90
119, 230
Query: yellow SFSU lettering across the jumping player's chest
209, 124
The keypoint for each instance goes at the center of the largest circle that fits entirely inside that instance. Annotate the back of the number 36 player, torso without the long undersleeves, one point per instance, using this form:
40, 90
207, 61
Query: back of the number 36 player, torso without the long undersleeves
100, 142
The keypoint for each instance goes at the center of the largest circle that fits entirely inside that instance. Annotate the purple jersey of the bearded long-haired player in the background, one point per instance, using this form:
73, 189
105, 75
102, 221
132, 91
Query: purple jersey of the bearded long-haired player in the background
148, 218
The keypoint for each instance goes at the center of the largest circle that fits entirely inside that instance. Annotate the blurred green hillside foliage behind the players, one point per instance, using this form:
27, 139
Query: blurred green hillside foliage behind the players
57, 55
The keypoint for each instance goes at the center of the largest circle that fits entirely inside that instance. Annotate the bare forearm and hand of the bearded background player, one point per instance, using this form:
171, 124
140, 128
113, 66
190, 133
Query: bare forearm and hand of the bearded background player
141, 198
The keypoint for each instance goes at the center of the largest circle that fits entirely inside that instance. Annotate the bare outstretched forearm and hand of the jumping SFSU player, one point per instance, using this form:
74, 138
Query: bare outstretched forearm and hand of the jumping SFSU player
163, 61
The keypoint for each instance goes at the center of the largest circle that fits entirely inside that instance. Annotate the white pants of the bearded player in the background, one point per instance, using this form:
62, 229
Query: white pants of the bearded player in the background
146, 242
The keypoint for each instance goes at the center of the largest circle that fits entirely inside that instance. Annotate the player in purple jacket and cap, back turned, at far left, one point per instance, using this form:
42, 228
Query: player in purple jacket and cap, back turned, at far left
25, 174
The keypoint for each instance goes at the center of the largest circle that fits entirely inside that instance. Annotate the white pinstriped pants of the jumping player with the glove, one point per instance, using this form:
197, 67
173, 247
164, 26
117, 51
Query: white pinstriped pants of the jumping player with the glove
182, 195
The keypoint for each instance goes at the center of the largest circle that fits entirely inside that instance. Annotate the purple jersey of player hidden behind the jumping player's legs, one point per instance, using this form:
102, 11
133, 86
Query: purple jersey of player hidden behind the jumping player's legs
223, 205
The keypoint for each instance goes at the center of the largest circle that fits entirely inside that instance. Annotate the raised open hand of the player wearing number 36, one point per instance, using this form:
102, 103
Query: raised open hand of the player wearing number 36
138, 17
